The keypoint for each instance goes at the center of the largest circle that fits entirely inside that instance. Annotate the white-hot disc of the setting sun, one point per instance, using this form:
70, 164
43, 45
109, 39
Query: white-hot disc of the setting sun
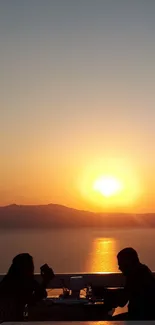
107, 186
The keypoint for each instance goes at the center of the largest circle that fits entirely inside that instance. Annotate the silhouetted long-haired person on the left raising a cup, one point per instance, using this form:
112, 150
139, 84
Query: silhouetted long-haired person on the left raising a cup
19, 287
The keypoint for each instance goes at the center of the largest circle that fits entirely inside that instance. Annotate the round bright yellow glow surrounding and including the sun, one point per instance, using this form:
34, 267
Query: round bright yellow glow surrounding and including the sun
110, 186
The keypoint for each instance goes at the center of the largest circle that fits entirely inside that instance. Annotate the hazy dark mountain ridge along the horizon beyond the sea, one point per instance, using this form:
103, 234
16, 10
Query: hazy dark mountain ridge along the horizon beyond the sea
54, 215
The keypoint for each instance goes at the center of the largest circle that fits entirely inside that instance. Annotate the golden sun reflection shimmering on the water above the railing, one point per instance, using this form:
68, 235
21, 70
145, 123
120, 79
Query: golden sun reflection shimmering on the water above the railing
102, 257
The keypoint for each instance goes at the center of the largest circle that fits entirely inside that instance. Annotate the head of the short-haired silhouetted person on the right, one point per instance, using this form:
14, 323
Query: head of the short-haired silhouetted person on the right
127, 260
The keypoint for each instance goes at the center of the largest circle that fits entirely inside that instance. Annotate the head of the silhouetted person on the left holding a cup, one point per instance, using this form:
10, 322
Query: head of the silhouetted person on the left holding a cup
22, 266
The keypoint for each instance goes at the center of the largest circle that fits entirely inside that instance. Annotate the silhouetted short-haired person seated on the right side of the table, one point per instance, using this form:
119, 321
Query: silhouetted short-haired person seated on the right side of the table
139, 290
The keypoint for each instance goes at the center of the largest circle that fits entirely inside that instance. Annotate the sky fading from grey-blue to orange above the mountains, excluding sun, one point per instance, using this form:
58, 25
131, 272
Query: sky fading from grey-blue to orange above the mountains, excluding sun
77, 102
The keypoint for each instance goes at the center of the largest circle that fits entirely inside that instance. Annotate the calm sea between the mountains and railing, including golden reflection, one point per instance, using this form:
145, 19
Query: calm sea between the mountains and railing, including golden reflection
82, 250
